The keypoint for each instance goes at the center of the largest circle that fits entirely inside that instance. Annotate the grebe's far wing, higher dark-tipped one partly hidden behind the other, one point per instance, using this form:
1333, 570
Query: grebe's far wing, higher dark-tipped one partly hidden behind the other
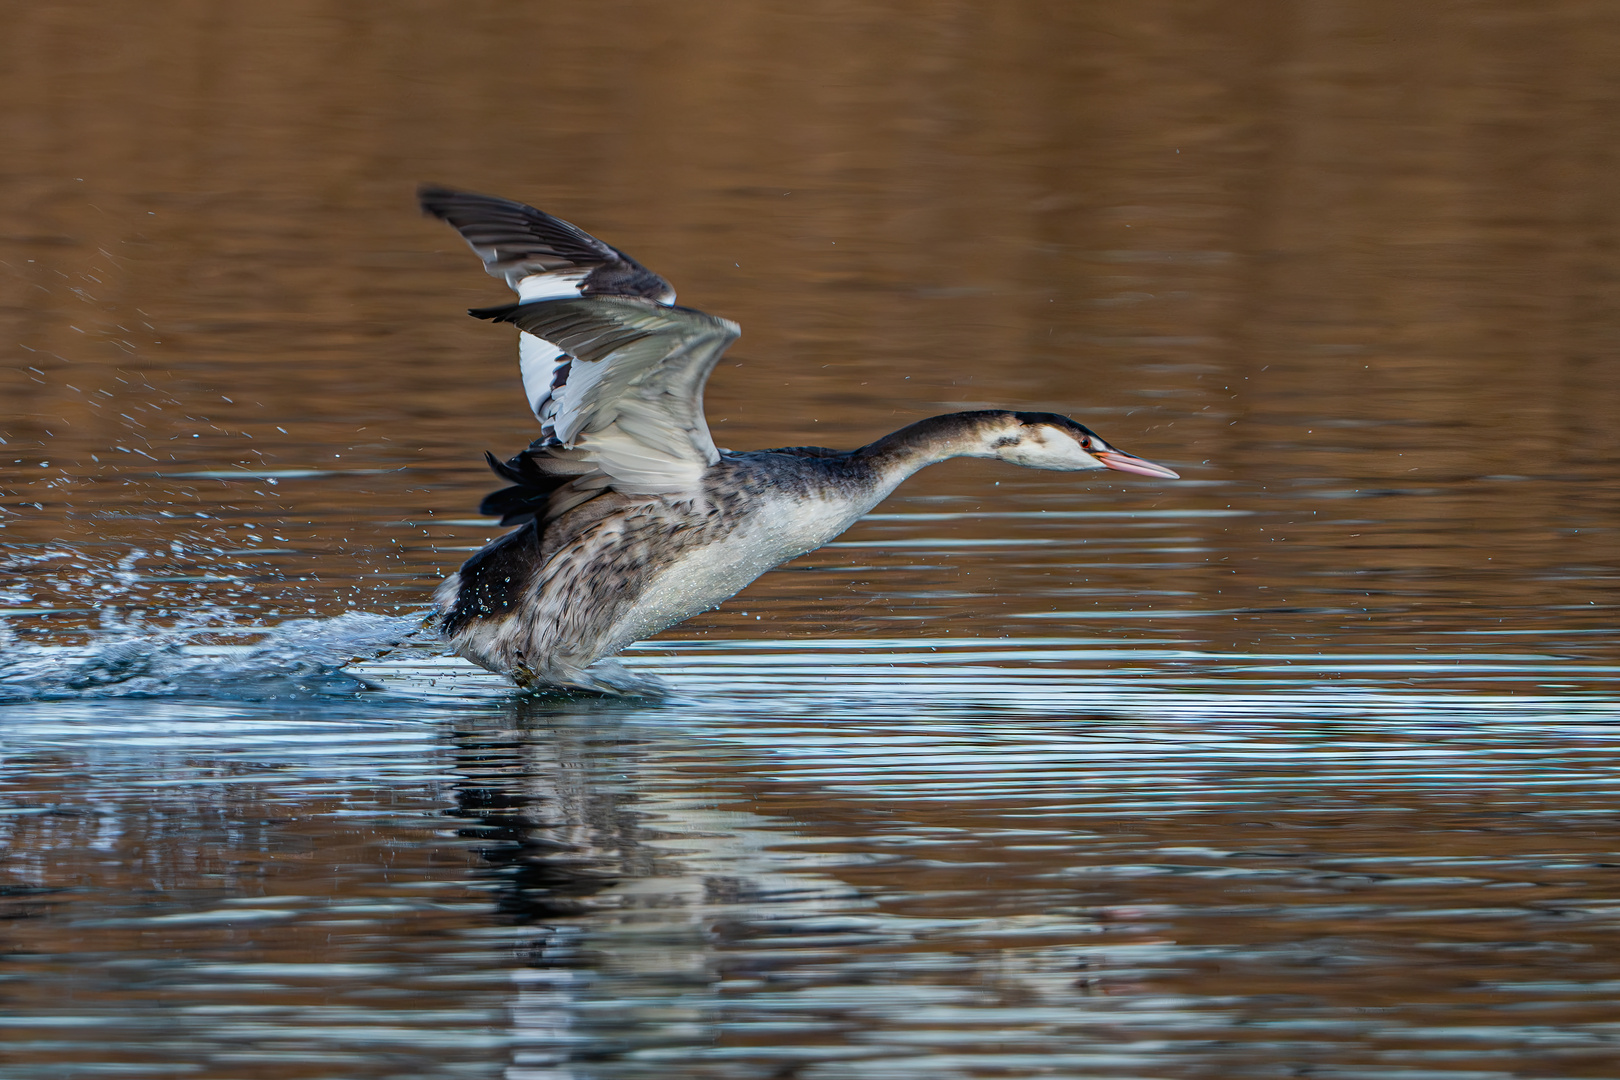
542, 258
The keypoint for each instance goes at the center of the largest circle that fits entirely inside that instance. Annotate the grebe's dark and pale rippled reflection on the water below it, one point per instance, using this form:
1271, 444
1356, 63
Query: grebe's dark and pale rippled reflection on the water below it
620, 963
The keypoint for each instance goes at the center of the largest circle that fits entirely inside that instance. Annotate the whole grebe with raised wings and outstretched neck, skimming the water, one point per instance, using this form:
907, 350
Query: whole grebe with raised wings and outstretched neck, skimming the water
631, 519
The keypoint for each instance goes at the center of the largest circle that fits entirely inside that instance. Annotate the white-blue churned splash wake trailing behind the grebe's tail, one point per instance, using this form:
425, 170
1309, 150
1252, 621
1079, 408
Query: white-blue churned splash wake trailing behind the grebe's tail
301, 658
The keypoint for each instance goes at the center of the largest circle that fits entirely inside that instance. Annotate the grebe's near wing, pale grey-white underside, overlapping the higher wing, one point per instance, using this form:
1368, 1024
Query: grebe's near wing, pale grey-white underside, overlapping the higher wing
631, 402
